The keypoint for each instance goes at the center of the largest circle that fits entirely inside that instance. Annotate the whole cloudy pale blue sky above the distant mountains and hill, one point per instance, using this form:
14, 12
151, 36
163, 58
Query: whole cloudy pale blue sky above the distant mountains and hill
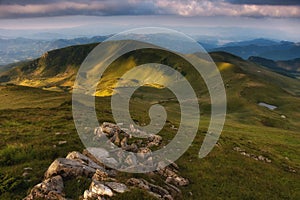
226, 19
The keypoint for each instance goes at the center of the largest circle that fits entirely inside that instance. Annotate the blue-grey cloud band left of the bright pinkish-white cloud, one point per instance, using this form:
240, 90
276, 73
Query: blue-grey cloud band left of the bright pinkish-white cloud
30, 8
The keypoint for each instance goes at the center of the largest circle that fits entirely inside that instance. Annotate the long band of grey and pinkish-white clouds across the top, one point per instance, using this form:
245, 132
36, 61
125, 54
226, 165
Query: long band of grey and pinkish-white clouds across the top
133, 7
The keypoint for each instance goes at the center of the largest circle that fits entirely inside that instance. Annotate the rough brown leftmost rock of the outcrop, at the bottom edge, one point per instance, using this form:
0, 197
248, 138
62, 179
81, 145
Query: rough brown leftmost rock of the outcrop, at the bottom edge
51, 188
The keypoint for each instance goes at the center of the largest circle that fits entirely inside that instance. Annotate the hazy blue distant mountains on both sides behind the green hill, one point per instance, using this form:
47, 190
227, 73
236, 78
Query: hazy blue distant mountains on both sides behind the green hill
19, 49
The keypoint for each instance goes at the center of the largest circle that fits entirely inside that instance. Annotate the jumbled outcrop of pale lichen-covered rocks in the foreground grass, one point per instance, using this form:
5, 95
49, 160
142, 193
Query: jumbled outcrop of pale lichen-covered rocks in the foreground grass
98, 163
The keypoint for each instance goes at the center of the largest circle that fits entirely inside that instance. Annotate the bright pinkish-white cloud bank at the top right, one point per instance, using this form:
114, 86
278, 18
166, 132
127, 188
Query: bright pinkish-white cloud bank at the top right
222, 8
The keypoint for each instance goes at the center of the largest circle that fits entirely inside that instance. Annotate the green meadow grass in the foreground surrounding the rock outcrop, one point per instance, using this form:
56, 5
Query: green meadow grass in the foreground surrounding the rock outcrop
28, 136
